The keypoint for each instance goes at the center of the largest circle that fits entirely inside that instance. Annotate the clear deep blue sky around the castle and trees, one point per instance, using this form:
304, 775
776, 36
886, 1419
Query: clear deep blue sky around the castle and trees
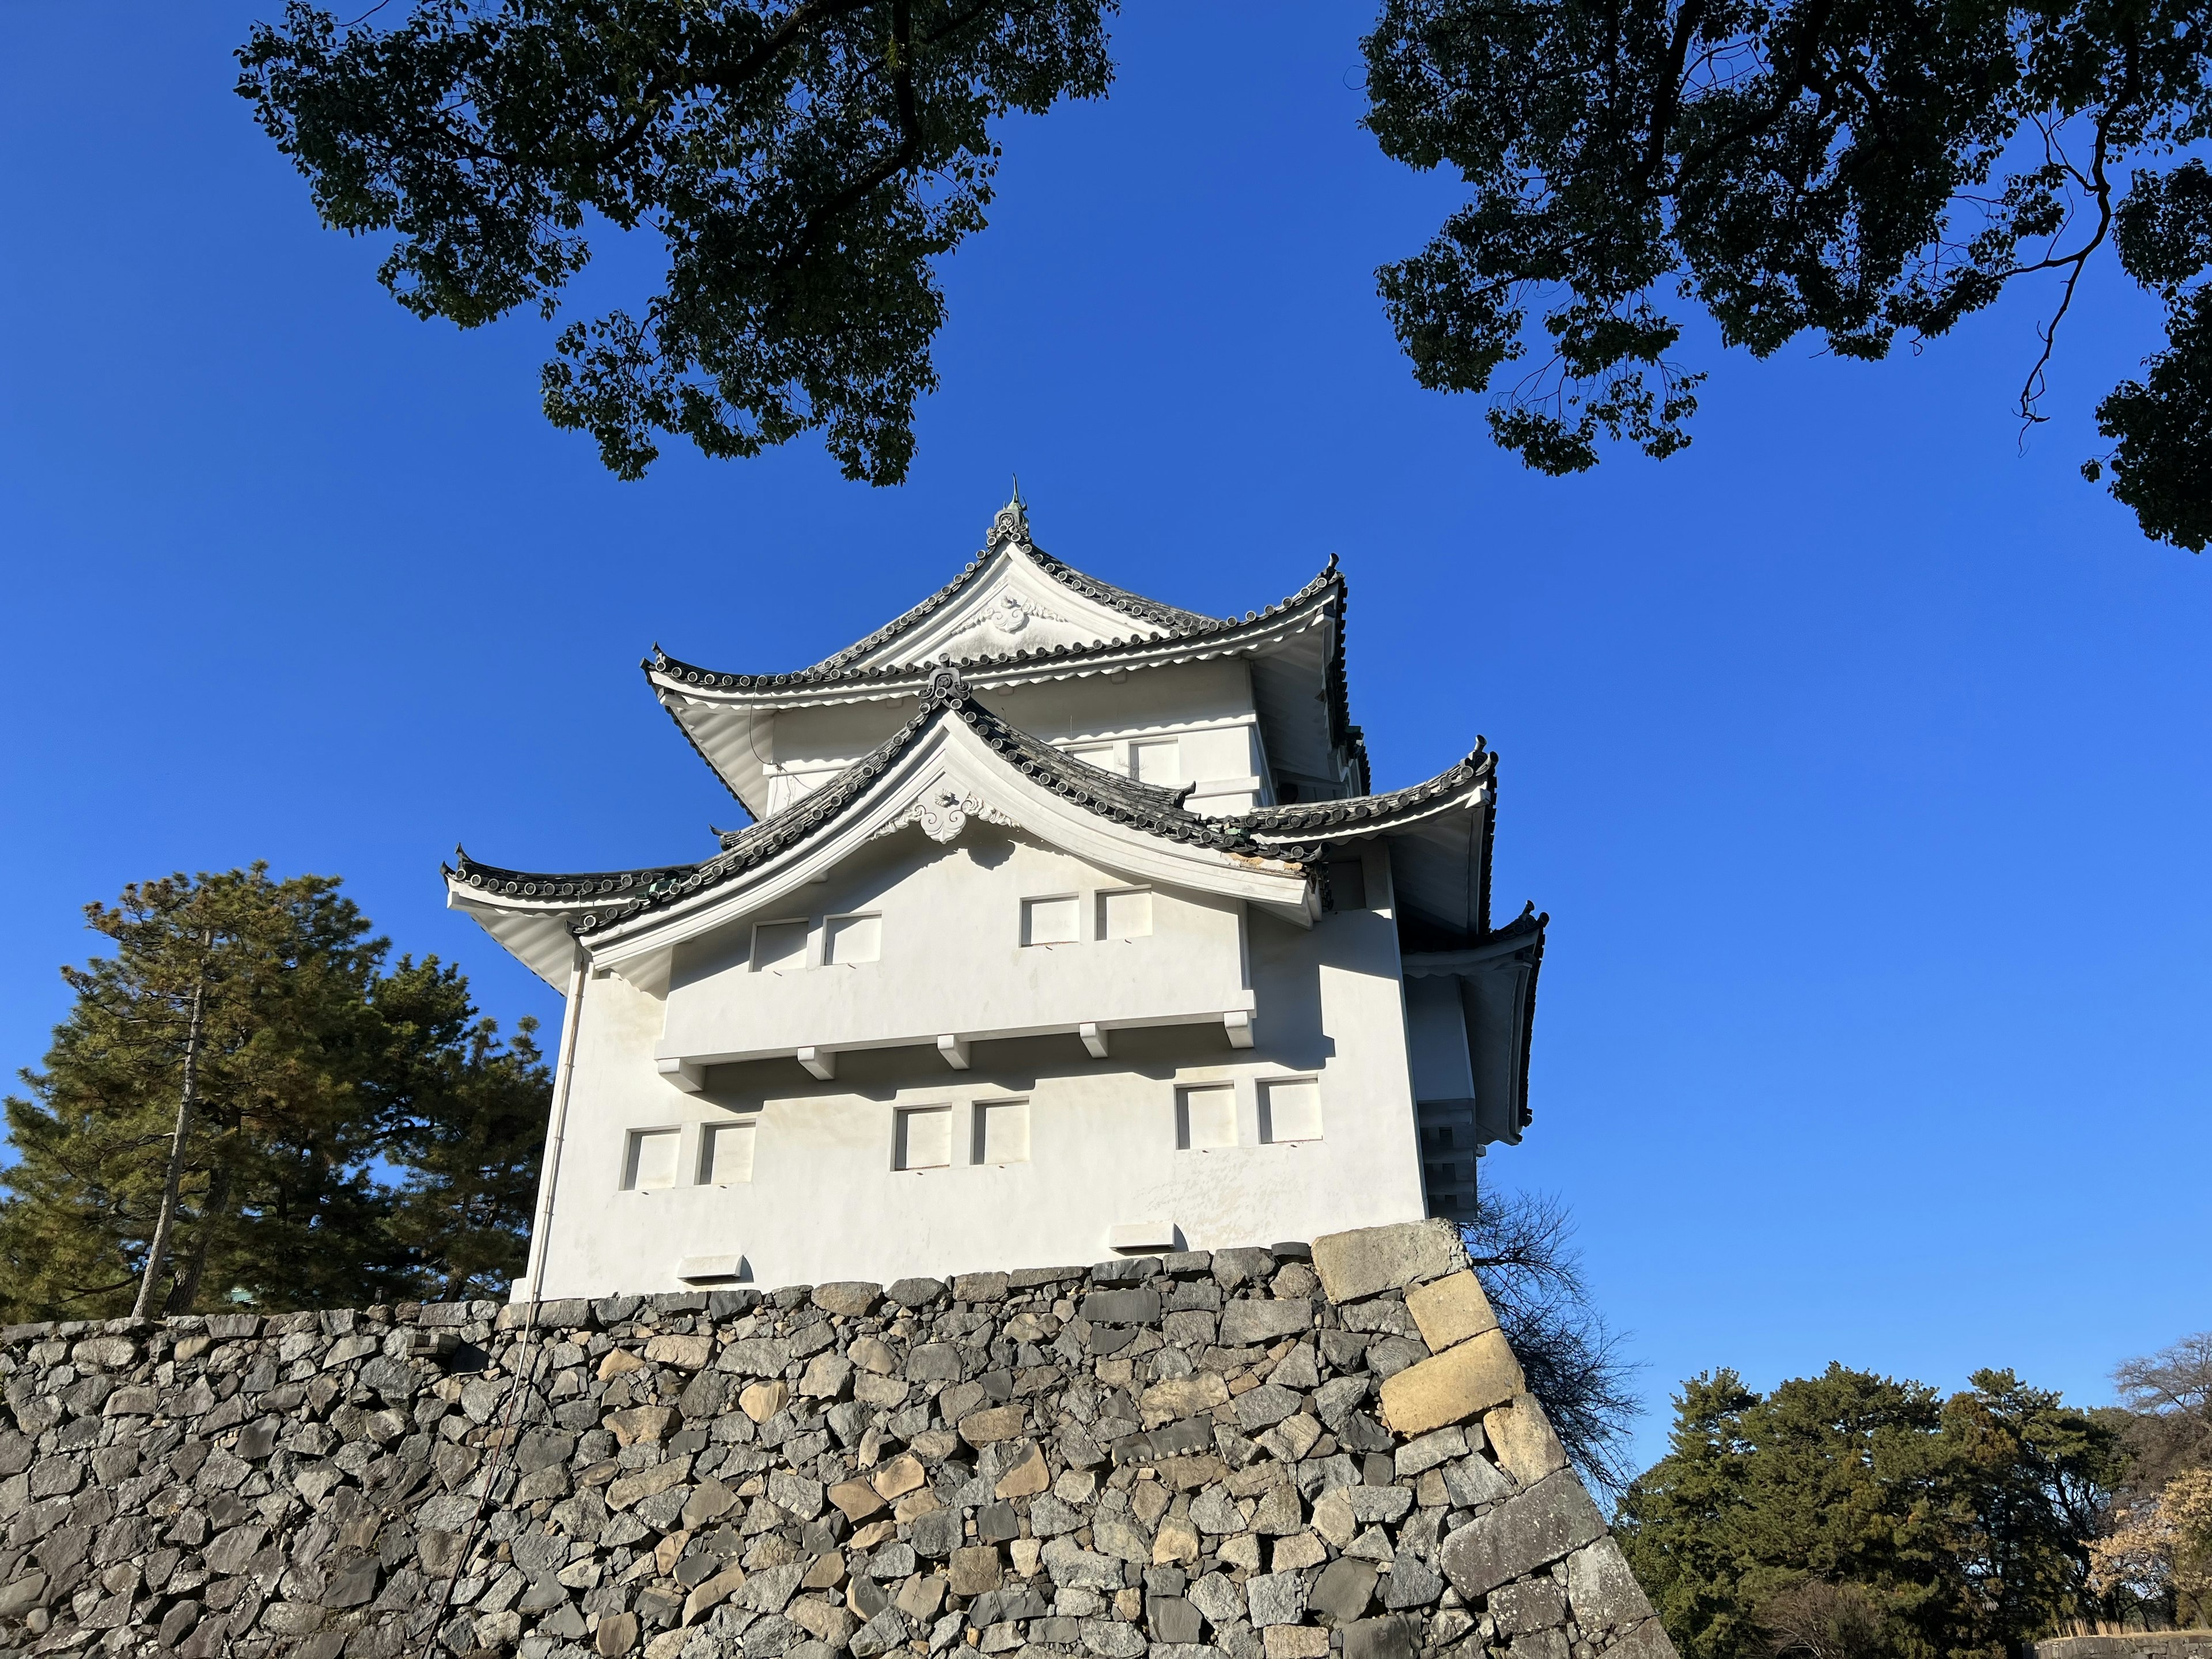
1857, 753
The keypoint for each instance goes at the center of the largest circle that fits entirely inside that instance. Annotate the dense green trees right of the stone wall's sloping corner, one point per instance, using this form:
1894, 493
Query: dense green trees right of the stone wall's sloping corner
1853, 1516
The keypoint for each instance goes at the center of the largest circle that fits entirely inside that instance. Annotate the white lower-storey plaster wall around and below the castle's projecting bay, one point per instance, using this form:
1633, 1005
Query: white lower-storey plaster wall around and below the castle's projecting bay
1103, 1138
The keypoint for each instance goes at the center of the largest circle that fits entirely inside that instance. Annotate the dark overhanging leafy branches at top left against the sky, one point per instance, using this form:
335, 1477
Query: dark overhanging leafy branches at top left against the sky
804, 163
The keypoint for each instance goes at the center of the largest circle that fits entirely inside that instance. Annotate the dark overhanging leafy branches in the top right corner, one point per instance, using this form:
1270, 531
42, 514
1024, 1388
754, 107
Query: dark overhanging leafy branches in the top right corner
1853, 169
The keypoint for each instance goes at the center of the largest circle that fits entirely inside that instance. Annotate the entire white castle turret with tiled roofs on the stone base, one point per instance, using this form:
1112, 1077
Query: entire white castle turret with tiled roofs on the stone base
1065, 926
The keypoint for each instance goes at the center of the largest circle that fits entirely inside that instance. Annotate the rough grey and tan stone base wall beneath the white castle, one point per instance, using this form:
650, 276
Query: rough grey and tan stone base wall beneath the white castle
1249, 1454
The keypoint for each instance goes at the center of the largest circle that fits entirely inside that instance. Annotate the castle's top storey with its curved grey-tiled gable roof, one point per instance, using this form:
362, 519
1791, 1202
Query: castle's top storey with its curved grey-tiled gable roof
1233, 713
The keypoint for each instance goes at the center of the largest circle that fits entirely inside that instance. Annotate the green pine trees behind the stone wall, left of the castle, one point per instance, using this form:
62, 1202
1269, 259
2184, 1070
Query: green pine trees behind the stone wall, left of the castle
317, 1072
